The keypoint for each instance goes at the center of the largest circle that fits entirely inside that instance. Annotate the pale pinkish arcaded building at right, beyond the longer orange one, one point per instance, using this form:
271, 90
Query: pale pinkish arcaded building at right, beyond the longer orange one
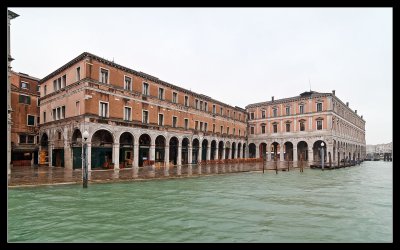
294, 128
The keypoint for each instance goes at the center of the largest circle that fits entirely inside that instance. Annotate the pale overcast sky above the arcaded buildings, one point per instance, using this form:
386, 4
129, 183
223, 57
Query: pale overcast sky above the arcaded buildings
236, 55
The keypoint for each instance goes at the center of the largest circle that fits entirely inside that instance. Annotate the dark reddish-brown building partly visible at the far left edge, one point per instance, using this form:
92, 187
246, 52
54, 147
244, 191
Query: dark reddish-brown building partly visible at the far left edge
25, 118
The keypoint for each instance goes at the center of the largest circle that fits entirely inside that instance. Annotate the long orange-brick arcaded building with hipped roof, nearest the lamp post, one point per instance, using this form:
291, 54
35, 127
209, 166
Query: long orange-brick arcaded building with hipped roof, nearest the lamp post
131, 117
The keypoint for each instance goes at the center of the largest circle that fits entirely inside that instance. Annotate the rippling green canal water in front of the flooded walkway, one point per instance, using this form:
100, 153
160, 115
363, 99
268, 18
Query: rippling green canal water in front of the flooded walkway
345, 205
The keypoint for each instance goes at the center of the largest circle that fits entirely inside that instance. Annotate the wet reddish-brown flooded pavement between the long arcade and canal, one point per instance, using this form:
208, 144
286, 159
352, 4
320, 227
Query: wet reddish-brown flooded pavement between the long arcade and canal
33, 176
